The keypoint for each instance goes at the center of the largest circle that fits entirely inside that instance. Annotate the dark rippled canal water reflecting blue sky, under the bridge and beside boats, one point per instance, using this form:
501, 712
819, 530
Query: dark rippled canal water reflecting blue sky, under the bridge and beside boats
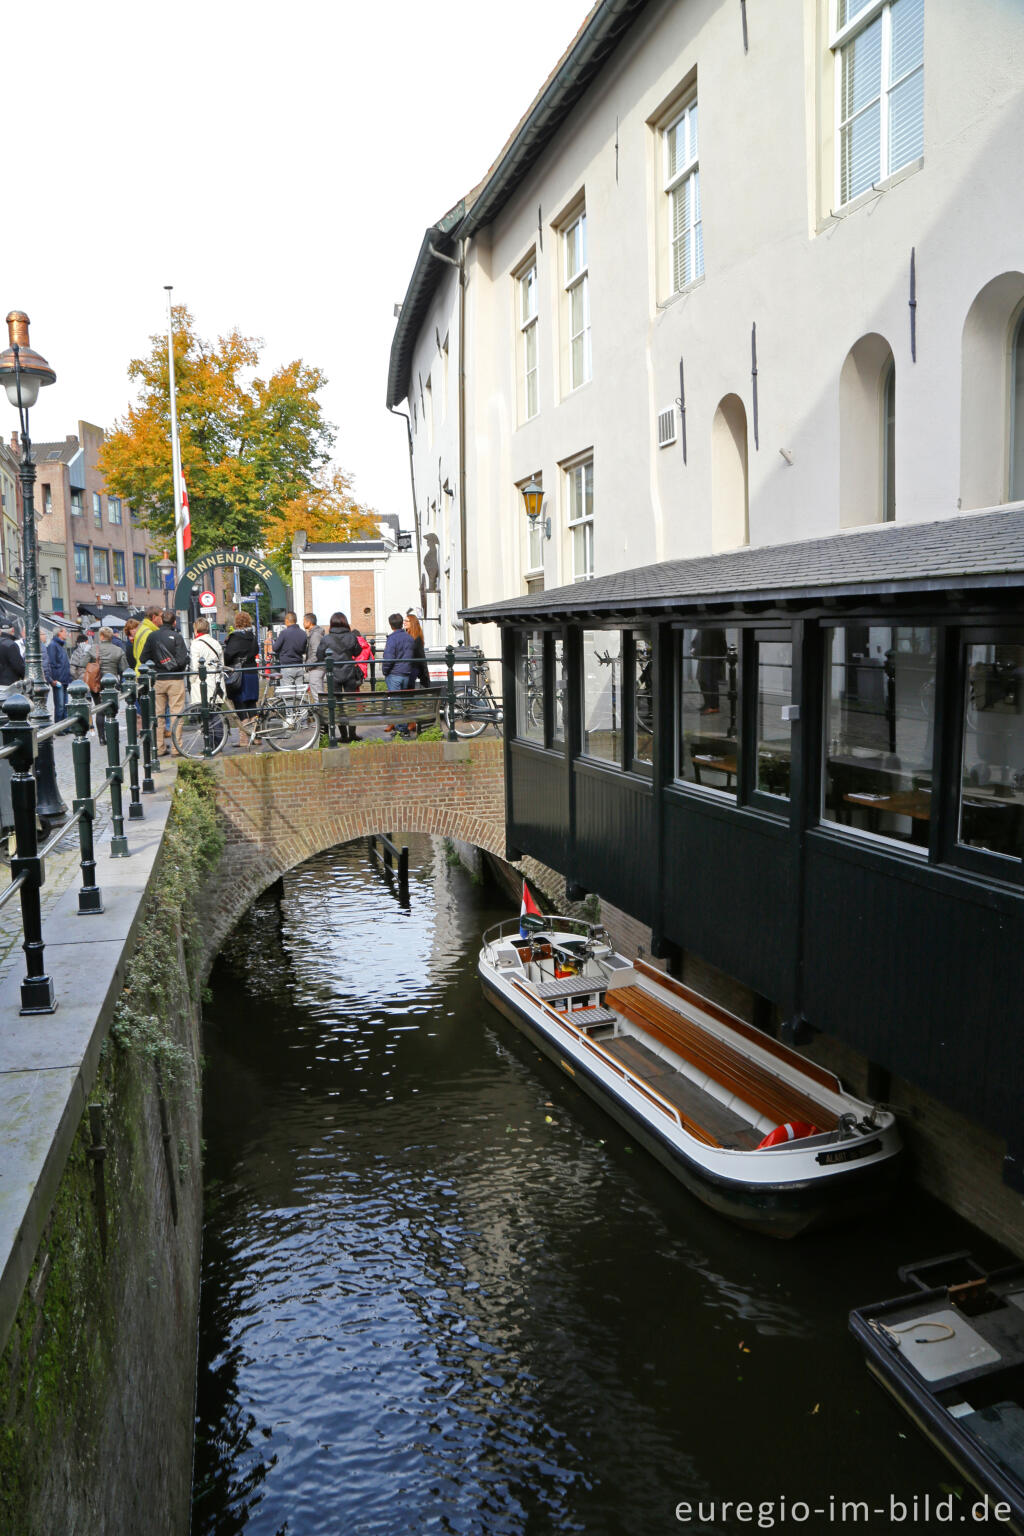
443, 1293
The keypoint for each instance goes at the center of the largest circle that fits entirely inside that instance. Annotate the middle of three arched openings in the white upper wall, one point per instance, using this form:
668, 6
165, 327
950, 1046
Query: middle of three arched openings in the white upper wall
868, 434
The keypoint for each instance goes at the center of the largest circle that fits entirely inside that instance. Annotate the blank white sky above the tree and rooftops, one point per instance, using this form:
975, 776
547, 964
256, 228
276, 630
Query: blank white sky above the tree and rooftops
277, 162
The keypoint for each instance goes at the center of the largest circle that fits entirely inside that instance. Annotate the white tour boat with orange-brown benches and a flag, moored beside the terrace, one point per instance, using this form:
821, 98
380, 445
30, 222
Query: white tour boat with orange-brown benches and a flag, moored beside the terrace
753, 1128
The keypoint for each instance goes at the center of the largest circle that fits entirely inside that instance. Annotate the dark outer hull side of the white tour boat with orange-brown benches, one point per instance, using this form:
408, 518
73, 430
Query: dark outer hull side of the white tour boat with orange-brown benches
778, 1210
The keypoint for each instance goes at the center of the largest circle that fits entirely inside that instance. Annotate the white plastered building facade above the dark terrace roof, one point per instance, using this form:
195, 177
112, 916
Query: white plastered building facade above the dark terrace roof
735, 280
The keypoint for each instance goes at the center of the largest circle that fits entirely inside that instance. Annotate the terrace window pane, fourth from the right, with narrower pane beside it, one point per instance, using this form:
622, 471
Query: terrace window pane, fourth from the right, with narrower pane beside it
709, 709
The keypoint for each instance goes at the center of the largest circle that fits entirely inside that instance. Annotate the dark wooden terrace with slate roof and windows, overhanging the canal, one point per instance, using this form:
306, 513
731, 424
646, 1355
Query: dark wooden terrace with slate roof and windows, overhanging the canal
804, 764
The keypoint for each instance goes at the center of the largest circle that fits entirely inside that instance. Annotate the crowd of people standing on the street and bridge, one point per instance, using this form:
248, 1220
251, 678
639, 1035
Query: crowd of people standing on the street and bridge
297, 655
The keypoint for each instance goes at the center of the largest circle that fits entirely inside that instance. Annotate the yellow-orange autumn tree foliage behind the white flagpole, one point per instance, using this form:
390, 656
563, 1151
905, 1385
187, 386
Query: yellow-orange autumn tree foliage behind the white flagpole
253, 448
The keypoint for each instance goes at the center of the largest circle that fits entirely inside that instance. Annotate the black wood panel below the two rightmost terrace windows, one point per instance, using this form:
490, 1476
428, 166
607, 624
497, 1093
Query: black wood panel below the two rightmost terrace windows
923, 972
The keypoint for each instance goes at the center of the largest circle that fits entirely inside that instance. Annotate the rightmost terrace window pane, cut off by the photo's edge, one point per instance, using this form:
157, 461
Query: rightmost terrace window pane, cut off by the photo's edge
993, 761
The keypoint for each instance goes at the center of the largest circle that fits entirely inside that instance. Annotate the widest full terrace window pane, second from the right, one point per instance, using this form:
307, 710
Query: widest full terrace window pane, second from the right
879, 721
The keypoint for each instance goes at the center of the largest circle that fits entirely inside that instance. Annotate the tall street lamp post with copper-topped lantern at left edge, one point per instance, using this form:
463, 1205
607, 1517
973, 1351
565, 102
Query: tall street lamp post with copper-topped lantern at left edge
24, 372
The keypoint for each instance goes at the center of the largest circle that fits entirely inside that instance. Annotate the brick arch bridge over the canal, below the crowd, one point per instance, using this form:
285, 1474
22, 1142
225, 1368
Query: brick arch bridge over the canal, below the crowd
280, 809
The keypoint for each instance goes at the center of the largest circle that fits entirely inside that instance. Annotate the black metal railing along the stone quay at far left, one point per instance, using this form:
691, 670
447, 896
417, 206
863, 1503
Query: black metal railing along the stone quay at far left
28, 862
